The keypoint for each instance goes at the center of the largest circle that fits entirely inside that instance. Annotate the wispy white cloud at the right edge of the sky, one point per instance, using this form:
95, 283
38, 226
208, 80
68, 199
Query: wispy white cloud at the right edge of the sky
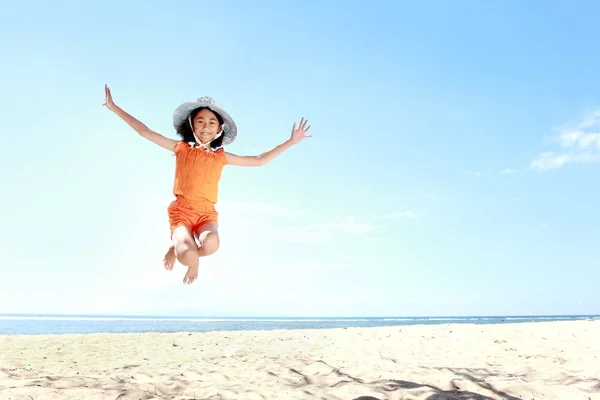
578, 145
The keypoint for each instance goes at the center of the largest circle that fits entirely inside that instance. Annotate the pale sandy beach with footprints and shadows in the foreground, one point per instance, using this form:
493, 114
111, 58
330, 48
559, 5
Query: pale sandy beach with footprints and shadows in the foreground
548, 360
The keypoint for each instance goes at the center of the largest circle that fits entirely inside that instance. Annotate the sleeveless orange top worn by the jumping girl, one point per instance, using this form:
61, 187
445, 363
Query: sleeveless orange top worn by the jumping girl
198, 172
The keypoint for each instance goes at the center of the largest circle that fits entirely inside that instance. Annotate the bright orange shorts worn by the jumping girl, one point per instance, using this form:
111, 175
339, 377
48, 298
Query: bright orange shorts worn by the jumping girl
182, 212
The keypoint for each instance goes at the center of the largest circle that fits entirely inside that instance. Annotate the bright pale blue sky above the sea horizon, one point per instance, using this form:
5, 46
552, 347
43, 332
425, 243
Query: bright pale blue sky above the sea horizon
453, 167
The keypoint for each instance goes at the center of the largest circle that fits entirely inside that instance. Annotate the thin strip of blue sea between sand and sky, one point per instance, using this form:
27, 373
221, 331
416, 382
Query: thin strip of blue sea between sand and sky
29, 324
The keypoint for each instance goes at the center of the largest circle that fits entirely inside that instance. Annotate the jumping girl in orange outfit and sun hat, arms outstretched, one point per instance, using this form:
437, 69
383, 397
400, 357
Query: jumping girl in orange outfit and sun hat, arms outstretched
204, 128
